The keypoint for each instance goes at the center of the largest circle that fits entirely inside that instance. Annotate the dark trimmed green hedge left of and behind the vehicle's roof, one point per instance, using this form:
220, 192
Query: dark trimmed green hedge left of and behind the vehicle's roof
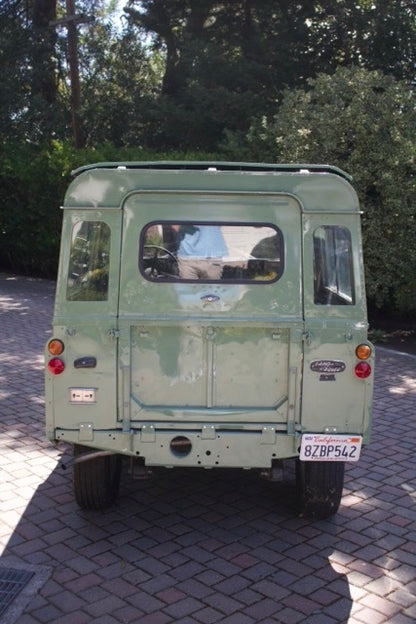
33, 181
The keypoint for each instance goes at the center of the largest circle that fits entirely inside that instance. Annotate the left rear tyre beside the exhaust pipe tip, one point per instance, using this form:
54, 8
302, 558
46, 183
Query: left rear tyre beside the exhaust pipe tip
96, 481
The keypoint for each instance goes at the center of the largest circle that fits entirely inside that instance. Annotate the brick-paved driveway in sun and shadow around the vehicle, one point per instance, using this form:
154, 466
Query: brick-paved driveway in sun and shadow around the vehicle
200, 547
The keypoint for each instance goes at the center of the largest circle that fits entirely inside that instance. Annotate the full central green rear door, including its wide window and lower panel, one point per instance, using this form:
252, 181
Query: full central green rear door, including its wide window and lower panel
225, 348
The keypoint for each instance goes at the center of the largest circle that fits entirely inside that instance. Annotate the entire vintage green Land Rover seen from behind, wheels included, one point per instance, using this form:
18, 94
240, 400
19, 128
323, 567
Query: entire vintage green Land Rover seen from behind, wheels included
210, 315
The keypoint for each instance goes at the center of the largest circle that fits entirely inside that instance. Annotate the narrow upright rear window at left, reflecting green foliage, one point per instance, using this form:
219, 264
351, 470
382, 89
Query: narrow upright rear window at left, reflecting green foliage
89, 262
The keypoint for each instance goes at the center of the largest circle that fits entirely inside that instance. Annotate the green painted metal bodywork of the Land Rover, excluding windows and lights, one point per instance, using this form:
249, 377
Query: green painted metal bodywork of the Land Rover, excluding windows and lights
225, 366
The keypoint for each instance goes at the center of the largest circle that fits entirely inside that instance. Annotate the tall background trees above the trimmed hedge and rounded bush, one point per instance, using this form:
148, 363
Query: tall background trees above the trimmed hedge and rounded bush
182, 72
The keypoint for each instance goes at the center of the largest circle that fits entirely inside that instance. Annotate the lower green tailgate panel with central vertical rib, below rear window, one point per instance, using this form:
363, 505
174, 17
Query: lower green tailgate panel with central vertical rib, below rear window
210, 367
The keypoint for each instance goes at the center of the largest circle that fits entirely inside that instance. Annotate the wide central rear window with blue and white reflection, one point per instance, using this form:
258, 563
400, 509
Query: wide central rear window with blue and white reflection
211, 252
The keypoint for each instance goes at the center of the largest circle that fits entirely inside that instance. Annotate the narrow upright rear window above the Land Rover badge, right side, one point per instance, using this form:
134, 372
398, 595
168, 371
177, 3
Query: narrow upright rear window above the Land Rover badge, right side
333, 270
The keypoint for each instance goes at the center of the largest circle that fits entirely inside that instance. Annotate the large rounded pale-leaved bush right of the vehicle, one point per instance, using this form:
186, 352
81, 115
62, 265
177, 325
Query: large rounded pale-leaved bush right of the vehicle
365, 123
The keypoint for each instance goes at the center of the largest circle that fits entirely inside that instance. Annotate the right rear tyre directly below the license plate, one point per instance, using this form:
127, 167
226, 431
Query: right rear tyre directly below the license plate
319, 487
